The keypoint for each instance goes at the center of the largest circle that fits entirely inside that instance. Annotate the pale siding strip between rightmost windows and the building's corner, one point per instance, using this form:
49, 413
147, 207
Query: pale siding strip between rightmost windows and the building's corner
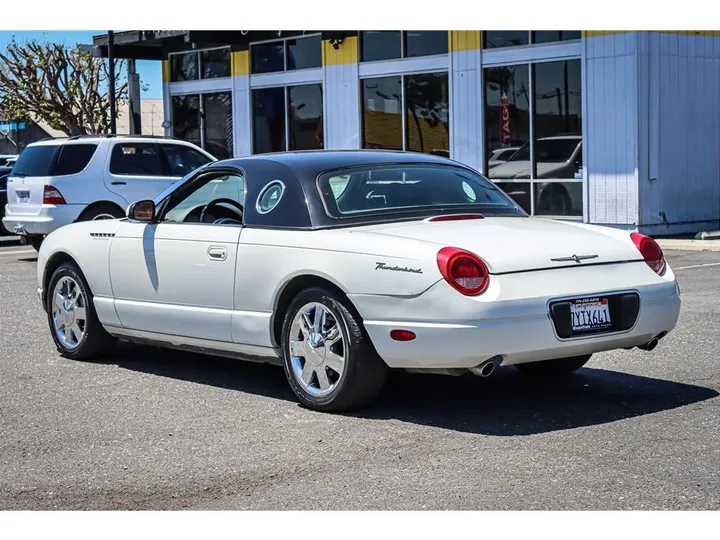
610, 127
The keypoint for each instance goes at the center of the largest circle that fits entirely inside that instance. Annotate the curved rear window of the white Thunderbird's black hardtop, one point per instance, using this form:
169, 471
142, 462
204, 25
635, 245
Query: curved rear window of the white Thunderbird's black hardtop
410, 188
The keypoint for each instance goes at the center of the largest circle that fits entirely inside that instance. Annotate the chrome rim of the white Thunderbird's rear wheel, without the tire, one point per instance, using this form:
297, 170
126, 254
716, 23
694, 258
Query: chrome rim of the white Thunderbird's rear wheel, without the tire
317, 349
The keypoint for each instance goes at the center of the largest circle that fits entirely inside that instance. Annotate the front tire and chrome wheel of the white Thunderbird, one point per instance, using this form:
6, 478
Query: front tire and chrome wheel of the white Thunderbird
75, 328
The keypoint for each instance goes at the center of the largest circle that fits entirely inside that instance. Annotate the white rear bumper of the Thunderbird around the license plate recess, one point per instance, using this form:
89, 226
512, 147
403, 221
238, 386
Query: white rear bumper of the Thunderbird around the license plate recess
519, 338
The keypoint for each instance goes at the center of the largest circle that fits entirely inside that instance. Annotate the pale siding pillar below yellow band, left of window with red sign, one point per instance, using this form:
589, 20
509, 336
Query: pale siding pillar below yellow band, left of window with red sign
466, 108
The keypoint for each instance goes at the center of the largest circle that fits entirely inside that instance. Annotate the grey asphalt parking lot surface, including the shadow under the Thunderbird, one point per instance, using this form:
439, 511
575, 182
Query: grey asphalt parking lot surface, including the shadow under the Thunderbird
152, 429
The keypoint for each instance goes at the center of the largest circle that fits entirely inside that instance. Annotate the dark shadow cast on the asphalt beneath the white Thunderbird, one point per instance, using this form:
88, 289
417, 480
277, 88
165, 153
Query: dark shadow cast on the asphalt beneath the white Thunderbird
507, 403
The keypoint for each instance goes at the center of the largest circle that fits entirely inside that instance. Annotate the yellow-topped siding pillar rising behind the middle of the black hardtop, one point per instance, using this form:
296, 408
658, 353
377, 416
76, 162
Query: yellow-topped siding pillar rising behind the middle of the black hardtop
341, 95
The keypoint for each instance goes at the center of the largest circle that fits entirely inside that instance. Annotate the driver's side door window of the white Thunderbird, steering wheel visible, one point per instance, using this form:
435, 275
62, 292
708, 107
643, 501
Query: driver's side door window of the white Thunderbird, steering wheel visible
205, 190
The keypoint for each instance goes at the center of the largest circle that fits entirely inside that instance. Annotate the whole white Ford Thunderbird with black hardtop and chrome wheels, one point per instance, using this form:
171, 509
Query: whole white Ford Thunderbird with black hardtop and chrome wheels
340, 265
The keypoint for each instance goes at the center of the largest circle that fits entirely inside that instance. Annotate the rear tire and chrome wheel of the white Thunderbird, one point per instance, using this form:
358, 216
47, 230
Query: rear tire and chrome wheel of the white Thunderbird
329, 361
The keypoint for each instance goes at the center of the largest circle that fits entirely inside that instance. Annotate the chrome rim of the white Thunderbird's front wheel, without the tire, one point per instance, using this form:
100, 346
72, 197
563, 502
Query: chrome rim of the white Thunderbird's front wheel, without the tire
69, 312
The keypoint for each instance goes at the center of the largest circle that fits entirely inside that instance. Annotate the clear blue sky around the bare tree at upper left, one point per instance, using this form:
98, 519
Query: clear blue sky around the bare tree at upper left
150, 71
